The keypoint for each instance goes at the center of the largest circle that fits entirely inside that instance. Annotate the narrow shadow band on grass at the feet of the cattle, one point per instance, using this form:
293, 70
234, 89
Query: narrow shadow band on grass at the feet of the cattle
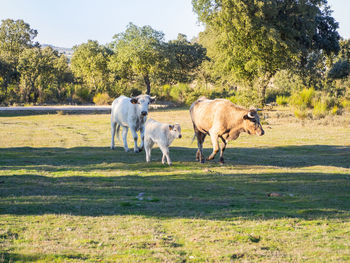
286, 156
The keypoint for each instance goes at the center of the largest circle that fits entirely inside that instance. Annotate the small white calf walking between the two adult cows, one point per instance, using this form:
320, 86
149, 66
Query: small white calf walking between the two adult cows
163, 134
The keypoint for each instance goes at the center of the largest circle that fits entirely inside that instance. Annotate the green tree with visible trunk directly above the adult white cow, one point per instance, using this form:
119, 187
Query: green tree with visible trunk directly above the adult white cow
137, 51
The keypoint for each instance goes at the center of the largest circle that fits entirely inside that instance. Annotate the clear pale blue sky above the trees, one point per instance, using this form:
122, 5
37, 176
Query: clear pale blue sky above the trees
66, 23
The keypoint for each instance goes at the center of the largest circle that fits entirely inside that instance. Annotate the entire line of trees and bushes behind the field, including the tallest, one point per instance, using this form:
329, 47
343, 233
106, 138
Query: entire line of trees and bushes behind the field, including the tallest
252, 52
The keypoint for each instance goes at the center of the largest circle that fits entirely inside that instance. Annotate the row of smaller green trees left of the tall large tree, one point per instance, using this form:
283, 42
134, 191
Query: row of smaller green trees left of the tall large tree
134, 62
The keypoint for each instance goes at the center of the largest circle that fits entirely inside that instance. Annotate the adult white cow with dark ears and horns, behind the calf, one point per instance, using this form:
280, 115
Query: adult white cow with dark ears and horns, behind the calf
130, 113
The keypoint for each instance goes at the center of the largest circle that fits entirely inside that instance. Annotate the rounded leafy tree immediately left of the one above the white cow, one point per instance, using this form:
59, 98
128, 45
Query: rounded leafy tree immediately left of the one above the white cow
89, 63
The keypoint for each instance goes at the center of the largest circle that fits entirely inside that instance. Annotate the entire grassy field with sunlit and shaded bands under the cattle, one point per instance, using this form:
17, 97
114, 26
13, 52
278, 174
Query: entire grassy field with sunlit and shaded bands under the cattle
66, 197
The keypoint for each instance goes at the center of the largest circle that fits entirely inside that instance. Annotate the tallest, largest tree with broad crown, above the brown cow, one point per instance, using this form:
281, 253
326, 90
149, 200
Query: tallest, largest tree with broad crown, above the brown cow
254, 39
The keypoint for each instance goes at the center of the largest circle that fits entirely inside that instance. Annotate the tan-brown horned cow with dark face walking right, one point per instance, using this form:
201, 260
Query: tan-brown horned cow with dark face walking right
222, 119
